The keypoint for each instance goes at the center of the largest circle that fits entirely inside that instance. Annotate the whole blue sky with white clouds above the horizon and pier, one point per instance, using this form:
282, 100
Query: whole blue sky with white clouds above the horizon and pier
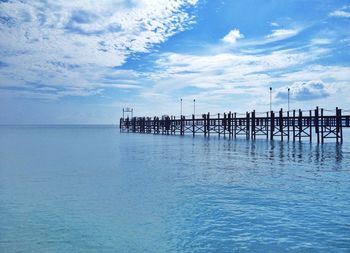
81, 62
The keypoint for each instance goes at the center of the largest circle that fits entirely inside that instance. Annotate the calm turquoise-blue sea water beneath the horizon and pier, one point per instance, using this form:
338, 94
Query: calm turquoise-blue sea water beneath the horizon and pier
93, 189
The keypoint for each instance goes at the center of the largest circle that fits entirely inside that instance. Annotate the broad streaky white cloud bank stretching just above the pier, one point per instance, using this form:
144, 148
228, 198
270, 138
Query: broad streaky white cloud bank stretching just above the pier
226, 78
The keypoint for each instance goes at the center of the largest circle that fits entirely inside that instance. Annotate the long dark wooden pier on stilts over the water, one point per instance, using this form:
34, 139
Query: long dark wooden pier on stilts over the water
295, 125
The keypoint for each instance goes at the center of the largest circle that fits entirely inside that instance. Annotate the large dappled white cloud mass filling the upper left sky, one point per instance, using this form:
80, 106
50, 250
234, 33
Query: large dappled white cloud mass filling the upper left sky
76, 43
